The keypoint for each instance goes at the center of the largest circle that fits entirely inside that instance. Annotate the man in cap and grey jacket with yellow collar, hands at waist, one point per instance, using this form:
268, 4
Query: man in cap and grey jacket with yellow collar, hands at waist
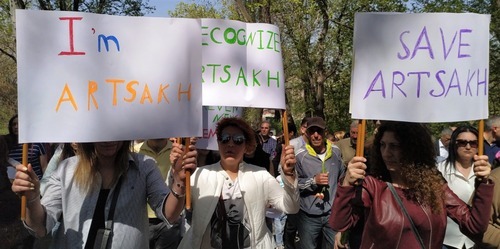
319, 166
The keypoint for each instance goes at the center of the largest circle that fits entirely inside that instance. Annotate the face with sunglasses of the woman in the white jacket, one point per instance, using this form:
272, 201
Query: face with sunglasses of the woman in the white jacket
230, 151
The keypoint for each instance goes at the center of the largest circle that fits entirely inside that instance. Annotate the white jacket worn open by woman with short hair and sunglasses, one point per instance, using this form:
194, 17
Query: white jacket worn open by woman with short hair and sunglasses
258, 187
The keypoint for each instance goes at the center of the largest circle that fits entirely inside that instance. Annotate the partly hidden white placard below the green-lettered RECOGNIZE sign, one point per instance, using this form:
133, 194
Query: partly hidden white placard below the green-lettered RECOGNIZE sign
211, 116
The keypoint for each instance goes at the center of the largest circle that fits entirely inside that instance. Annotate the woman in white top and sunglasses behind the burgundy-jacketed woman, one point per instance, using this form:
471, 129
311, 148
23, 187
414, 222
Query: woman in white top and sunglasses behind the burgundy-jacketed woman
458, 171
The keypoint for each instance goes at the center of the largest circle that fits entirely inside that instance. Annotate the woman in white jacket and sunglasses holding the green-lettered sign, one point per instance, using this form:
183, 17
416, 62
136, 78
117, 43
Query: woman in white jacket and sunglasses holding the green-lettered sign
229, 198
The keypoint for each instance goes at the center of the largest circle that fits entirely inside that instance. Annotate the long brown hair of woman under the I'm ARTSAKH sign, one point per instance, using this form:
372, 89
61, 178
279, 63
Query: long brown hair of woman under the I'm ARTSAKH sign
86, 171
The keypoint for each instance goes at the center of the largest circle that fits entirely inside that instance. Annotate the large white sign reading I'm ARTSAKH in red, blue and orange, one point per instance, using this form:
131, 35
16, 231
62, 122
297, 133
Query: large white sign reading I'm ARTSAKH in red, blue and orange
87, 77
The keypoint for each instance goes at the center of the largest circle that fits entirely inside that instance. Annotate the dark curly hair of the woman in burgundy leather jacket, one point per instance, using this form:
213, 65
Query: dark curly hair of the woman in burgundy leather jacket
422, 177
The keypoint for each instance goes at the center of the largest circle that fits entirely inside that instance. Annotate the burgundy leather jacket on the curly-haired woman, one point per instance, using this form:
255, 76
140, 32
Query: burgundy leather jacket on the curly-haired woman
387, 227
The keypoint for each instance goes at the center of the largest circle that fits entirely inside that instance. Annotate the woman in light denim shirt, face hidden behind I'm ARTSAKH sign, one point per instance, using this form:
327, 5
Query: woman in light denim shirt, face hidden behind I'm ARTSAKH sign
101, 197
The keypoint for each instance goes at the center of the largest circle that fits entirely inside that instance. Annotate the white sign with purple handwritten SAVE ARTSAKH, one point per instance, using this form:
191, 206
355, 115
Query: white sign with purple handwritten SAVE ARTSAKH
420, 67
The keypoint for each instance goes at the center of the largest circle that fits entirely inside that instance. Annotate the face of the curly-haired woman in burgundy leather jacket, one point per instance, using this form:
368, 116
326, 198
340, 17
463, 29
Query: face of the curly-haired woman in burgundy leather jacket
391, 151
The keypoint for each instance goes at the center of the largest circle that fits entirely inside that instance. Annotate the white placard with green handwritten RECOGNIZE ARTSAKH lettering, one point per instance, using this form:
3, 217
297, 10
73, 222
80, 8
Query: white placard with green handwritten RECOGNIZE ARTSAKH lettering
242, 64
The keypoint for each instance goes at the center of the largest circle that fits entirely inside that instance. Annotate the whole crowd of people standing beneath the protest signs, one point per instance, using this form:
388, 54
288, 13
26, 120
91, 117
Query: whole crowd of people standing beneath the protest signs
406, 191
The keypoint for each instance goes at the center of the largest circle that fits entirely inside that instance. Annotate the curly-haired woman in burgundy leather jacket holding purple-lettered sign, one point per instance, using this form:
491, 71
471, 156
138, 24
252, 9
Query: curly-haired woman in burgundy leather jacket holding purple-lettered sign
403, 165
